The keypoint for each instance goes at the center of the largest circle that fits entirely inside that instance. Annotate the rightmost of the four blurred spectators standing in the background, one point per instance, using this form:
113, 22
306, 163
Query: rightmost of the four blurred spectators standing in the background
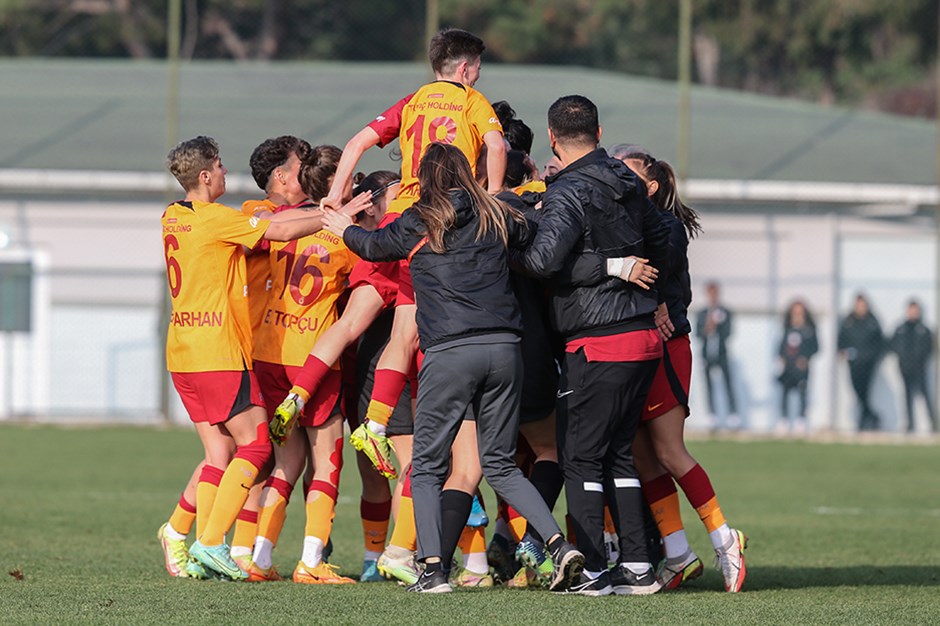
913, 343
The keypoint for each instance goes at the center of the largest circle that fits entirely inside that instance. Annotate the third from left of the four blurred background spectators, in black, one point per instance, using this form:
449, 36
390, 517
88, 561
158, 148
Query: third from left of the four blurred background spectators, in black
862, 343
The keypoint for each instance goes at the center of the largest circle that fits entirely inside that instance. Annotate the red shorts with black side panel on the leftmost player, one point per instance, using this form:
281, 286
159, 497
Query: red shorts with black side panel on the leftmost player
214, 397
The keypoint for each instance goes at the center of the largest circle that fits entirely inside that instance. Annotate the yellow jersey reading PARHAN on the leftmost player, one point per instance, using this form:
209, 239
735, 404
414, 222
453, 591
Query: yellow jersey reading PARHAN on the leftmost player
210, 329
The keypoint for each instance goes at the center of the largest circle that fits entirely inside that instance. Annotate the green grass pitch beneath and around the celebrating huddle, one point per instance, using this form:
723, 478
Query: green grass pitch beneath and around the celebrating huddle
839, 534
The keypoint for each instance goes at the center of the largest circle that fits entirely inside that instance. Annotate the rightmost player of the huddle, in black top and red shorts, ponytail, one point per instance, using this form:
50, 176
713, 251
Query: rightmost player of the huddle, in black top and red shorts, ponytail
661, 456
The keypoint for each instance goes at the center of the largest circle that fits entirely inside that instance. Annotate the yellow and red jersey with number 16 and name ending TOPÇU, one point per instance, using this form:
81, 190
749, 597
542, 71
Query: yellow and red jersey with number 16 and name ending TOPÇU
307, 277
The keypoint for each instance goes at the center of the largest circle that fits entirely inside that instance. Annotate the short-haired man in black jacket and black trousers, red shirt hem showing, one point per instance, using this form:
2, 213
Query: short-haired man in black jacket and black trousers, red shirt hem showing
596, 206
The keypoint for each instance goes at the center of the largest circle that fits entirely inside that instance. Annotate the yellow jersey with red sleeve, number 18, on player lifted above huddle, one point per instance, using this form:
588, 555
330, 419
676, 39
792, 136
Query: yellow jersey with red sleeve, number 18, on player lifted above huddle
440, 111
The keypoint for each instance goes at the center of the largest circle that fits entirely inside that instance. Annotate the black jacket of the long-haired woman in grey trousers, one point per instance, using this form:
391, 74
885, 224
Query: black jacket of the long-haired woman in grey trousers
460, 293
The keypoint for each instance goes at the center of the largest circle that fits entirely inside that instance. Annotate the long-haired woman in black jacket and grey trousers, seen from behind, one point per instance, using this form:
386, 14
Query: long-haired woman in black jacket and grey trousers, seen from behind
469, 327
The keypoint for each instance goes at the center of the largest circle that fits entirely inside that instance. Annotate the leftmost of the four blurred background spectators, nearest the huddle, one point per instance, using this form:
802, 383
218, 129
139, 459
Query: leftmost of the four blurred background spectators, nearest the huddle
713, 327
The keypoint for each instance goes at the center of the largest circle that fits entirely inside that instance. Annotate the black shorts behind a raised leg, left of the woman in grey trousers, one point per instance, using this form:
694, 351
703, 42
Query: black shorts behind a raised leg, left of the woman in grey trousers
371, 345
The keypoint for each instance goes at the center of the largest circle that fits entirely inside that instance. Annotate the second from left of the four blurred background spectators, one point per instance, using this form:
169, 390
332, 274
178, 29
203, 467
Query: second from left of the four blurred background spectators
797, 346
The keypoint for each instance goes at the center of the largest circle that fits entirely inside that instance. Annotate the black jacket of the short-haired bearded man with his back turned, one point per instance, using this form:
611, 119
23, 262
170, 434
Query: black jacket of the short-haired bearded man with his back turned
596, 205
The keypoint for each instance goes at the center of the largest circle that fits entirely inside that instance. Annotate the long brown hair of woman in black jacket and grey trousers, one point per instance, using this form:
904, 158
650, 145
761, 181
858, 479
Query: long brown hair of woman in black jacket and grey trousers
442, 169
